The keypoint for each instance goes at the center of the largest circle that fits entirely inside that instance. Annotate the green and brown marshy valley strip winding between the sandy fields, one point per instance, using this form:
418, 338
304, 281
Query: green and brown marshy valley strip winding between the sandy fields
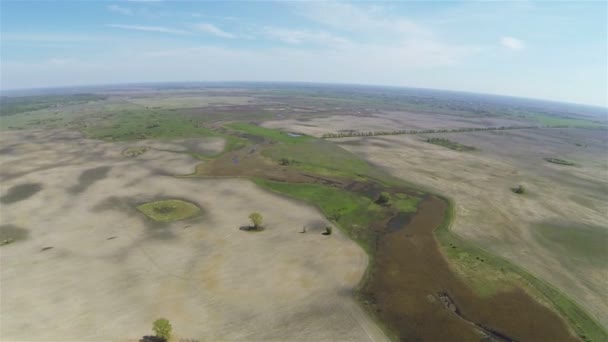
409, 287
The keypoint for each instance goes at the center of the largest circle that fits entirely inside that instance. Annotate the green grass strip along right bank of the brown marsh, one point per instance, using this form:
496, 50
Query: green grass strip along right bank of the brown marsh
489, 273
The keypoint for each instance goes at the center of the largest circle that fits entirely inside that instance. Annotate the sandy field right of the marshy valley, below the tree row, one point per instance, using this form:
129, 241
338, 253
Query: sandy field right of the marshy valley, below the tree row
487, 212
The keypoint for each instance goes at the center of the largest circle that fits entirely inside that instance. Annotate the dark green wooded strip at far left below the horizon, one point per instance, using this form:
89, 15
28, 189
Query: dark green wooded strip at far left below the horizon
22, 104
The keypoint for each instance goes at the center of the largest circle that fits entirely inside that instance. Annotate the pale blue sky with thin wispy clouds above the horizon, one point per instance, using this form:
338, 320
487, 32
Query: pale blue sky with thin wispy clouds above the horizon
547, 50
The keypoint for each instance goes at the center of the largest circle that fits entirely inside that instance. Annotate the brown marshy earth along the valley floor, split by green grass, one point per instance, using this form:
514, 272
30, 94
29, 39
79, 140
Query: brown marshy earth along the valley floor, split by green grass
411, 288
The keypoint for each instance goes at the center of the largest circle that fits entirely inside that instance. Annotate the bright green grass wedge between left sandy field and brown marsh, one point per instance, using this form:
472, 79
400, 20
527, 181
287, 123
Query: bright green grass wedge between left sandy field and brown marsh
351, 212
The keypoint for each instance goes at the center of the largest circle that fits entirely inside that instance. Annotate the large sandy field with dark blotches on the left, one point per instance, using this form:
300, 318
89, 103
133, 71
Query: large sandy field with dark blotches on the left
111, 272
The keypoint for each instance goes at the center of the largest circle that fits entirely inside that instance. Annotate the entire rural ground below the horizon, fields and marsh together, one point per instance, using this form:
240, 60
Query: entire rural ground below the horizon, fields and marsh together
431, 238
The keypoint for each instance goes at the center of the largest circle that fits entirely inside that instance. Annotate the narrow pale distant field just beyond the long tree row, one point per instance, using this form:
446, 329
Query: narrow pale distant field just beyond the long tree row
386, 121
